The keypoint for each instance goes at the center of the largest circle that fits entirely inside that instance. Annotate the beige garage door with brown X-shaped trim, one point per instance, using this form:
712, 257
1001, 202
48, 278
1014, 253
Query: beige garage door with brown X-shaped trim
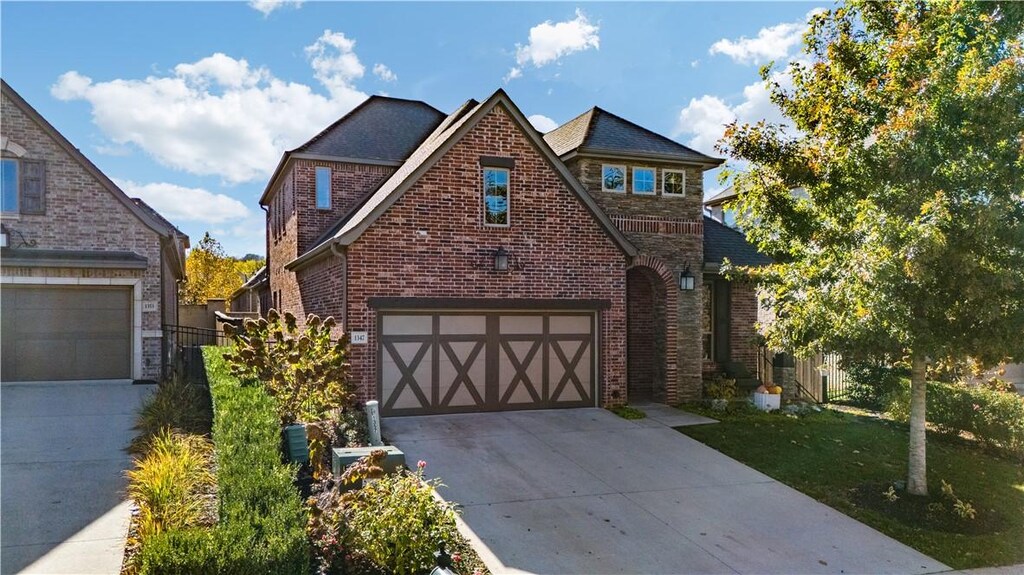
488, 362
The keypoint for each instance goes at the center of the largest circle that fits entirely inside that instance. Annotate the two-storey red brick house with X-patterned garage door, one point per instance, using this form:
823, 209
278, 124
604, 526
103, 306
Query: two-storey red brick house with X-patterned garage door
480, 266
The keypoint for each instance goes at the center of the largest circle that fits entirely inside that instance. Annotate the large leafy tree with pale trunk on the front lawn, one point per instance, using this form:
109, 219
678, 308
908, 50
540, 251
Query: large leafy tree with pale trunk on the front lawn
910, 143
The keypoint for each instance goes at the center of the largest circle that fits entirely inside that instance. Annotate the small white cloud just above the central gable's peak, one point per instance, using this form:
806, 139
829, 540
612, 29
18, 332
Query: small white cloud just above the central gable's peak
549, 42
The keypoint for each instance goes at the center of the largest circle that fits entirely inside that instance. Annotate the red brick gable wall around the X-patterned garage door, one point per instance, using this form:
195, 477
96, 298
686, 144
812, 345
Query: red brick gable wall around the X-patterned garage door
564, 251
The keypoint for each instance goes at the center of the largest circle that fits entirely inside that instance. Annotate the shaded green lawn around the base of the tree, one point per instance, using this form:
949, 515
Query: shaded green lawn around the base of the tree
829, 456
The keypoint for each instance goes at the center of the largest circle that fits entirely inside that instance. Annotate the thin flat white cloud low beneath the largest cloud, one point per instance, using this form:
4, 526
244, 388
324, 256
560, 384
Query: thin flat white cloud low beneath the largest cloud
180, 204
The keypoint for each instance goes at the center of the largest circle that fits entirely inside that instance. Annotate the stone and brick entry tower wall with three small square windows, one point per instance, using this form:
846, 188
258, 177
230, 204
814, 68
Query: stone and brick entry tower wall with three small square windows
676, 241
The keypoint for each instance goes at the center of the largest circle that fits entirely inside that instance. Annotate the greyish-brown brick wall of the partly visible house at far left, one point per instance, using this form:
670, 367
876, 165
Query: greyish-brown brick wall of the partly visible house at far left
81, 214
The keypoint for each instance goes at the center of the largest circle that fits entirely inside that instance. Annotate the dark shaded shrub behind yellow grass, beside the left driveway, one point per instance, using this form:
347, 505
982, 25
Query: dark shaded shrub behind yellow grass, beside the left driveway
177, 406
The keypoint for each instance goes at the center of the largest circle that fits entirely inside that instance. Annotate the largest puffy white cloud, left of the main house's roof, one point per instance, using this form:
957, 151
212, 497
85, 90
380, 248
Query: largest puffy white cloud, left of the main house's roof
221, 116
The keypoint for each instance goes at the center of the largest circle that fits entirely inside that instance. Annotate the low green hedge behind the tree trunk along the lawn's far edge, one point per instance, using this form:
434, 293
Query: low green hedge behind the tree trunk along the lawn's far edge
993, 417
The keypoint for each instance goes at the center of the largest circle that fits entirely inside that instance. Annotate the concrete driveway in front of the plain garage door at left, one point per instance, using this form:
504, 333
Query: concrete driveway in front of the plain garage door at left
62, 482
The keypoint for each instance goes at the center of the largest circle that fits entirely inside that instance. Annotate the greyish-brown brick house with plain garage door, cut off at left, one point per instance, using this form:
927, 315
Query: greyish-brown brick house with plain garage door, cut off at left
89, 275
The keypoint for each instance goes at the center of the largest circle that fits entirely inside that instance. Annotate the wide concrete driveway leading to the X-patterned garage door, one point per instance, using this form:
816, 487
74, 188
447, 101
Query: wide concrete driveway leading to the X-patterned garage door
585, 492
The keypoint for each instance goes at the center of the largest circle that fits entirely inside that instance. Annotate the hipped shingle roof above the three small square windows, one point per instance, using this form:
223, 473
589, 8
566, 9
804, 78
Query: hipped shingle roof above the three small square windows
599, 131
